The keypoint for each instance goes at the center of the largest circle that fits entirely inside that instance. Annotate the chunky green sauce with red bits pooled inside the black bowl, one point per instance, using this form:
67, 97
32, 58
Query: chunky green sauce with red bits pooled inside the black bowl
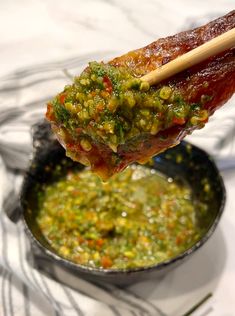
138, 218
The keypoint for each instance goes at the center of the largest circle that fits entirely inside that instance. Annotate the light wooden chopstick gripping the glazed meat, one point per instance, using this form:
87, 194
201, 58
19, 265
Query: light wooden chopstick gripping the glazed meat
193, 57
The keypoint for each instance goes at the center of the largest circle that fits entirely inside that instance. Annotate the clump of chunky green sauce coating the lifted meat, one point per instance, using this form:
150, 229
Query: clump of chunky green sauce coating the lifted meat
107, 104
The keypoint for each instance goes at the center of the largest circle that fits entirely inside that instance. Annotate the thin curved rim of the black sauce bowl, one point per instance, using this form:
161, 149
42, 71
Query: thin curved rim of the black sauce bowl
104, 272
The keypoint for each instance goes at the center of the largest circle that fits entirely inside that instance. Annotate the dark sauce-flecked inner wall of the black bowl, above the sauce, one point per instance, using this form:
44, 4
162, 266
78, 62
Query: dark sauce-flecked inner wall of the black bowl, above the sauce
184, 162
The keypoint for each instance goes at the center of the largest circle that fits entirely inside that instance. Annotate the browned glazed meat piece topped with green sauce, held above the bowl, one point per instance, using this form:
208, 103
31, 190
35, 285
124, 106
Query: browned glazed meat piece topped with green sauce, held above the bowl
108, 118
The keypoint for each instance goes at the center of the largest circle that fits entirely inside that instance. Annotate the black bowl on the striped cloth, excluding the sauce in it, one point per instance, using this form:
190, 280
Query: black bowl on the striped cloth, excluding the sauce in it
185, 161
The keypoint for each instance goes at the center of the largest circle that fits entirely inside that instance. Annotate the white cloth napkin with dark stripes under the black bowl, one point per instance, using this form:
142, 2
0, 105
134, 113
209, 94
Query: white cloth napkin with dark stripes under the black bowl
26, 290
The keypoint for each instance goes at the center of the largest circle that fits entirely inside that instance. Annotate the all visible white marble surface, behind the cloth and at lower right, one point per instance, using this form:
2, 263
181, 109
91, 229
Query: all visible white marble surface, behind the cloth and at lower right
38, 31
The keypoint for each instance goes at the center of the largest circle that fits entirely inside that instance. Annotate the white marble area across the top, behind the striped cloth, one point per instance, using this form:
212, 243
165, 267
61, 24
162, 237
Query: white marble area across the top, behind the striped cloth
34, 31
